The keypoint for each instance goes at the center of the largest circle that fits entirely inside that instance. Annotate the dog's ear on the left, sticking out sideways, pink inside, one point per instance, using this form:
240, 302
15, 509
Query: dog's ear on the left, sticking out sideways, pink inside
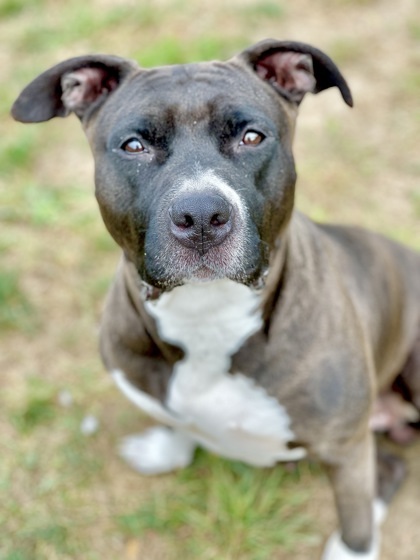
75, 85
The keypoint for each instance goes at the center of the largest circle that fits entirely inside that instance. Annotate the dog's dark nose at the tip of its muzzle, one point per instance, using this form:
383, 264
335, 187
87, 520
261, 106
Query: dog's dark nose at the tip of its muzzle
201, 220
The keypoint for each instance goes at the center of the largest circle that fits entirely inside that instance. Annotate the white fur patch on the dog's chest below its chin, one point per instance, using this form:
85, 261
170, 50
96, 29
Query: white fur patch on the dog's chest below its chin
229, 414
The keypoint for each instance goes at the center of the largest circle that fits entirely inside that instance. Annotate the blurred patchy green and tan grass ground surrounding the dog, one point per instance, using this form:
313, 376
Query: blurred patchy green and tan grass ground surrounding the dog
64, 493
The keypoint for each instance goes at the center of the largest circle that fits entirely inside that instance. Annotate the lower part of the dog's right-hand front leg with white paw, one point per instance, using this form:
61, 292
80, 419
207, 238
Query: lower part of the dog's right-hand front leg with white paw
353, 480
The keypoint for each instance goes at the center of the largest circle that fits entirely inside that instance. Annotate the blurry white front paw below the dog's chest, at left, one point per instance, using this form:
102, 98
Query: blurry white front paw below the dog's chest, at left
158, 450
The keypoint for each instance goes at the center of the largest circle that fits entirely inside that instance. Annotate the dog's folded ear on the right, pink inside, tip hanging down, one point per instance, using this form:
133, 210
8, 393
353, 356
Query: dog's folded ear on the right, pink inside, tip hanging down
295, 69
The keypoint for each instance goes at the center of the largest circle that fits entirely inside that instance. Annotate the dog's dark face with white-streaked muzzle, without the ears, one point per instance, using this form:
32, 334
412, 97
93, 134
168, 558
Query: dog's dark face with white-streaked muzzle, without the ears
194, 172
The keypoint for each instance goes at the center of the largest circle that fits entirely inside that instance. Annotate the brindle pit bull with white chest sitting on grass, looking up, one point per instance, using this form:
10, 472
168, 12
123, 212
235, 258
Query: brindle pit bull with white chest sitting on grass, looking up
234, 320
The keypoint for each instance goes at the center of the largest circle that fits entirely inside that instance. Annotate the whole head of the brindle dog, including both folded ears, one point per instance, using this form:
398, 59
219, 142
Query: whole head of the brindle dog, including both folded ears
194, 170
